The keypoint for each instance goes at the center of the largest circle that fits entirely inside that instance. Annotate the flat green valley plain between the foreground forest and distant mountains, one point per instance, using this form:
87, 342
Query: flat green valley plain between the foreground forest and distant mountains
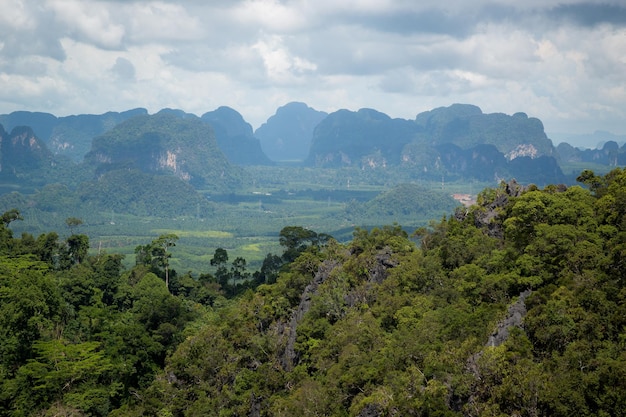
247, 222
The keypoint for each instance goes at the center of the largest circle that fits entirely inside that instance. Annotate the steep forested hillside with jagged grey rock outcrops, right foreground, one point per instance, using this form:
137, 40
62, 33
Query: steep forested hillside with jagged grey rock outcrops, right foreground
525, 320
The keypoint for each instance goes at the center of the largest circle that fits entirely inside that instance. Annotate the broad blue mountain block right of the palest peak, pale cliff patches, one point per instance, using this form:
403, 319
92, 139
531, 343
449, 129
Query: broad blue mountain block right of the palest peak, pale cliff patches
454, 142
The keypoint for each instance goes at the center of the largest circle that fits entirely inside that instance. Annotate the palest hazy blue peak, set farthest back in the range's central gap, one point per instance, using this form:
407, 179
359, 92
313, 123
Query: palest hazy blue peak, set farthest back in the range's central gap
287, 134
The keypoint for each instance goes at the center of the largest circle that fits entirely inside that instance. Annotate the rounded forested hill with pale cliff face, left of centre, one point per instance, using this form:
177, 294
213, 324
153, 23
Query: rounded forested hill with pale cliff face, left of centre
165, 143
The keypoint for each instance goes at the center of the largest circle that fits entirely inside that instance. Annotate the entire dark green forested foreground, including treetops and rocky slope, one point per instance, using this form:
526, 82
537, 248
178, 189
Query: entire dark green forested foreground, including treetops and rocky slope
514, 306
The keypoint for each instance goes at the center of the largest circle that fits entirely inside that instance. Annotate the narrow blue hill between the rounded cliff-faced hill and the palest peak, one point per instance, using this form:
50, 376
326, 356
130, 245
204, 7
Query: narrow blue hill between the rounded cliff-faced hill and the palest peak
235, 138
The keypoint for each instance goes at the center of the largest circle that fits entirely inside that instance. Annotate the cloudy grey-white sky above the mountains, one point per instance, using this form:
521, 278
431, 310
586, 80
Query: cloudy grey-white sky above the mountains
563, 61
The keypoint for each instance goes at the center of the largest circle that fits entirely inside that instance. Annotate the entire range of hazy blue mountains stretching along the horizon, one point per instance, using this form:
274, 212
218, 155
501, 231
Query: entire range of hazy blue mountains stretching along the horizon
459, 141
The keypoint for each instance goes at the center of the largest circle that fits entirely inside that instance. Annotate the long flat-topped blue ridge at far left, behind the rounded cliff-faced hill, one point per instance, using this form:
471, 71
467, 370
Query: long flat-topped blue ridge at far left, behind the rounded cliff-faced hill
69, 135
